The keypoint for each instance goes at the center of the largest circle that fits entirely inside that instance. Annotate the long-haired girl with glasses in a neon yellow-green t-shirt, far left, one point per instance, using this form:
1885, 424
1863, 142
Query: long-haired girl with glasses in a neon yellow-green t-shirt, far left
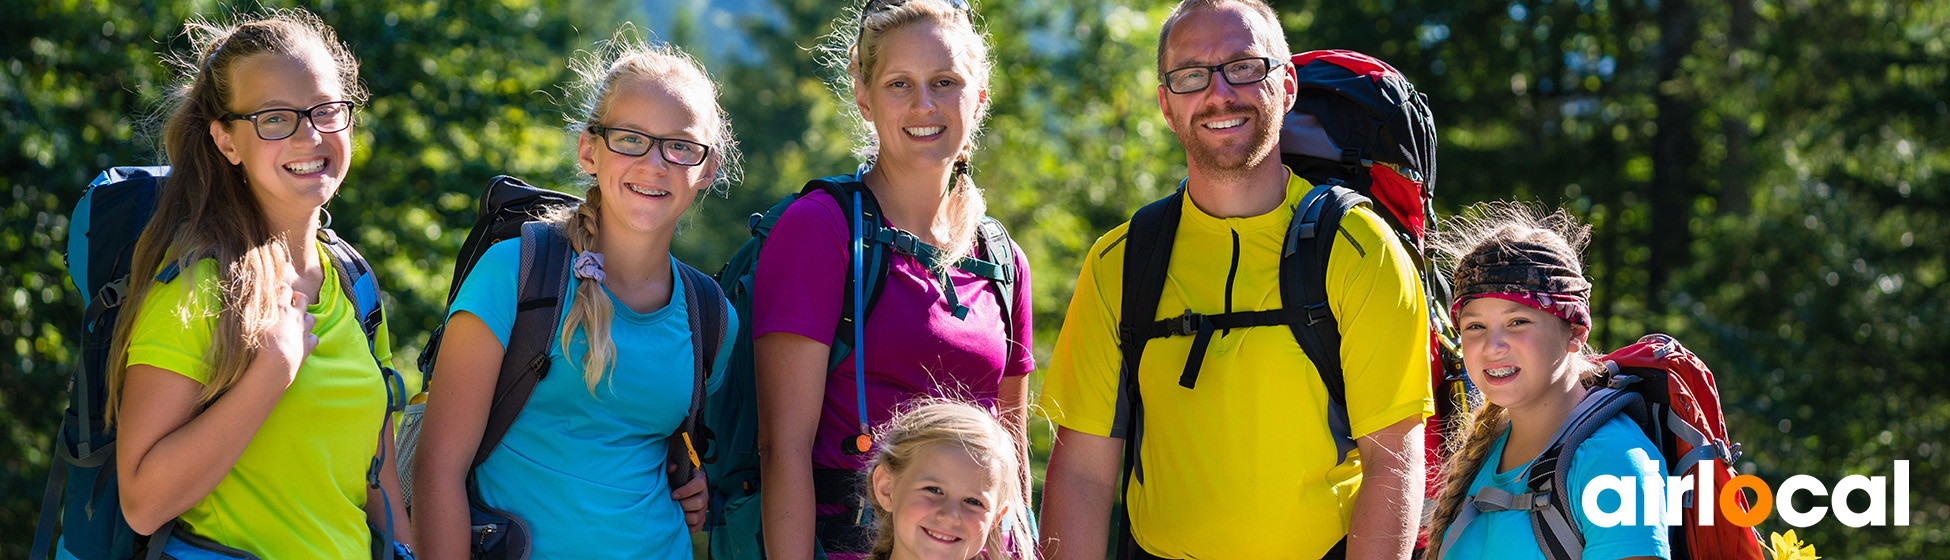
247, 397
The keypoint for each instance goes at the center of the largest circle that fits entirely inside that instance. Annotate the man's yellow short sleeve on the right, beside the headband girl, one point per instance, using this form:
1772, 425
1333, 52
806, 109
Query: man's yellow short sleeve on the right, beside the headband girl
1385, 325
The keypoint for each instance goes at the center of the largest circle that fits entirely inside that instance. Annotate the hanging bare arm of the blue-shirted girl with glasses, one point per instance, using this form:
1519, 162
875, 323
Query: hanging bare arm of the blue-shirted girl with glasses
467, 372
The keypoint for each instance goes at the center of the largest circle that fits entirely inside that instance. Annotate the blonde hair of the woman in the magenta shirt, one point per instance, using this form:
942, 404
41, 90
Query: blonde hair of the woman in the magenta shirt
855, 52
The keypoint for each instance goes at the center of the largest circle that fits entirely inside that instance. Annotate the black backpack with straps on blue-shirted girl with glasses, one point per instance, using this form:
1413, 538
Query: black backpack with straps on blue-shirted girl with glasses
512, 210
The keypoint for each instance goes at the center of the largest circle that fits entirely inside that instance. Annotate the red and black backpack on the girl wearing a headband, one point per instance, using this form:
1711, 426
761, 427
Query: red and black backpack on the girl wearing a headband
1672, 397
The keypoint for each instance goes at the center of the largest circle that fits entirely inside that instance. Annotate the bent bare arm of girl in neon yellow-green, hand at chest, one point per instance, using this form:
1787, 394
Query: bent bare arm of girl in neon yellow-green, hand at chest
169, 456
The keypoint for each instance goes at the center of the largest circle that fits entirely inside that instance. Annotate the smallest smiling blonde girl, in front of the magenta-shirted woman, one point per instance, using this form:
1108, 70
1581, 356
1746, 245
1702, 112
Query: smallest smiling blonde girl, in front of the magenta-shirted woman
947, 485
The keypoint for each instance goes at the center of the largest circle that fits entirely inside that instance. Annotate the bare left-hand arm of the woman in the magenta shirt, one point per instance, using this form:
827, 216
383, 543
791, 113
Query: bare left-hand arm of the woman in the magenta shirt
793, 381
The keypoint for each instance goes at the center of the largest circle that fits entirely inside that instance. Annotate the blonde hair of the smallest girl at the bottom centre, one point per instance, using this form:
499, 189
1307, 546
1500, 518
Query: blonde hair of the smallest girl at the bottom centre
984, 438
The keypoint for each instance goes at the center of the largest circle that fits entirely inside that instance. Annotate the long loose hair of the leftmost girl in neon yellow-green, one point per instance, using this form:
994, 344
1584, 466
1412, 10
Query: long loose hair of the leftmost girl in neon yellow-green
208, 210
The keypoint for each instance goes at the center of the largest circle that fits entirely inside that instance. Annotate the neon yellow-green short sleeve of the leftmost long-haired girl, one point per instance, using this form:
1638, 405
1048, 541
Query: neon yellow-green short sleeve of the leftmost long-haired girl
173, 329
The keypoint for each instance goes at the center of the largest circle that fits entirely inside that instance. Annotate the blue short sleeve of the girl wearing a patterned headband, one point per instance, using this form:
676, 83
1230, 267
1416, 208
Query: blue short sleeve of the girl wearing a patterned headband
1619, 450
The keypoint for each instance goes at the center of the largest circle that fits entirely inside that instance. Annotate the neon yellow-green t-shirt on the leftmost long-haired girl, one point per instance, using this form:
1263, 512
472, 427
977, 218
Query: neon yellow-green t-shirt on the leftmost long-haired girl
301, 487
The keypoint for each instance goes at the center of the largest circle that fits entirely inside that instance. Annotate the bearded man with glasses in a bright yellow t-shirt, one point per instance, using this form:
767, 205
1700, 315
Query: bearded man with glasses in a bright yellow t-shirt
1229, 428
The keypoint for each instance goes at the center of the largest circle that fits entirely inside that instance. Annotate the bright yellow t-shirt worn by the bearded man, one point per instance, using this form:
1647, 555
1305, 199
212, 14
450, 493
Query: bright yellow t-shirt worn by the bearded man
1243, 465
